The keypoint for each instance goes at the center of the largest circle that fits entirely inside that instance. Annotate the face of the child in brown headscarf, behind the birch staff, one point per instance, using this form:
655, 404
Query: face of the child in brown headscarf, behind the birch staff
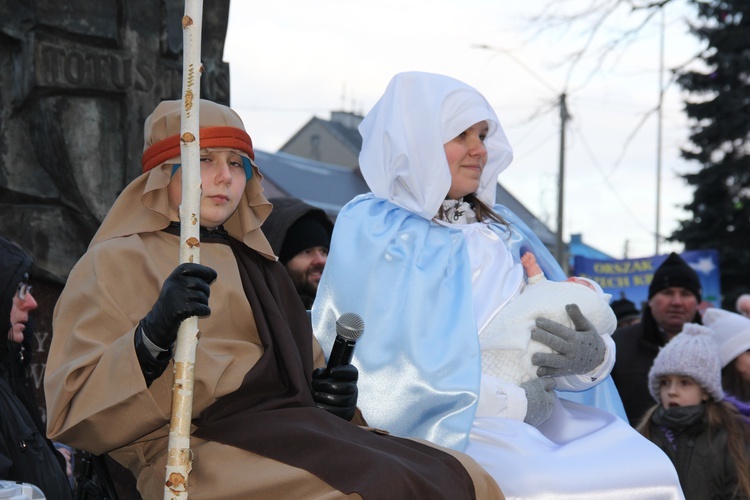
222, 183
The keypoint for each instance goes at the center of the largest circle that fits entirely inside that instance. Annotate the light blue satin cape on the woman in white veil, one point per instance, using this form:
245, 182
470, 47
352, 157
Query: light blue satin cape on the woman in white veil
410, 280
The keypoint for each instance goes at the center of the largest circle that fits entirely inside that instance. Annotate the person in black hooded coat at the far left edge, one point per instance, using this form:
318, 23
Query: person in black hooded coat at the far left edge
26, 455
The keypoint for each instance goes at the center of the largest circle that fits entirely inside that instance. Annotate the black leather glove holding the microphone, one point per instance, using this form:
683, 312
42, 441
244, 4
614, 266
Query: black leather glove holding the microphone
336, 392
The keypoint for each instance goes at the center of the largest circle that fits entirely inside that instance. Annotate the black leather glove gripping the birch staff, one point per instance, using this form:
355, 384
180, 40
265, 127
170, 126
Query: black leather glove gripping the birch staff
184, 294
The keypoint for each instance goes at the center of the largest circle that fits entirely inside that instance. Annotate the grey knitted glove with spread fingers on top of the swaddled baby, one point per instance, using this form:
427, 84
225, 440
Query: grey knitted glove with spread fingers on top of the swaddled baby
580, 350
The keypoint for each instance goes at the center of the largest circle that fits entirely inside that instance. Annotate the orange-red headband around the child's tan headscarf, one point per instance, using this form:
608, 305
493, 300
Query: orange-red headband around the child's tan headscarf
211, 137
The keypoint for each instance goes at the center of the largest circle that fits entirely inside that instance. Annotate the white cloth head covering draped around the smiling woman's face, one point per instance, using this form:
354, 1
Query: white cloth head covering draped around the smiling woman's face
402, 157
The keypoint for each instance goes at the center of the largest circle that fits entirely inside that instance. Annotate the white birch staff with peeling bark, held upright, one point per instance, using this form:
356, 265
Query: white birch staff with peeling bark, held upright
179, 460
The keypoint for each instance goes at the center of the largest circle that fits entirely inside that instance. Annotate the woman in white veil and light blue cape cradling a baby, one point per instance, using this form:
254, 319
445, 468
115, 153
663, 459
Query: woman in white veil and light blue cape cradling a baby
428, 263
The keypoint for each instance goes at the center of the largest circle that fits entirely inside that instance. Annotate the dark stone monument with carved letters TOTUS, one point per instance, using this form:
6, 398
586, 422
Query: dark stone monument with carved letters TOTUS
77, 81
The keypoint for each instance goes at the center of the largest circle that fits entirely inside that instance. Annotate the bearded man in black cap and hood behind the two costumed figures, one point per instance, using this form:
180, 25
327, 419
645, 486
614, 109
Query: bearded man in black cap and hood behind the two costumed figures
300, 235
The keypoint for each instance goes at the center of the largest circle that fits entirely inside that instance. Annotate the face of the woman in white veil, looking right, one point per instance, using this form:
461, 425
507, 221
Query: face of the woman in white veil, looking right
467, 156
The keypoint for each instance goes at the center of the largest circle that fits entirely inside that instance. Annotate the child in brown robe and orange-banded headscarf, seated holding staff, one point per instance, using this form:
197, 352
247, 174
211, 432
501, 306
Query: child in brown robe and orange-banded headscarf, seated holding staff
269, 419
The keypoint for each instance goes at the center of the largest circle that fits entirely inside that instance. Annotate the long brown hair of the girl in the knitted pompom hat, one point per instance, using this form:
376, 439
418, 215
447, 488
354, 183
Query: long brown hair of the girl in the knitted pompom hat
725, 415
